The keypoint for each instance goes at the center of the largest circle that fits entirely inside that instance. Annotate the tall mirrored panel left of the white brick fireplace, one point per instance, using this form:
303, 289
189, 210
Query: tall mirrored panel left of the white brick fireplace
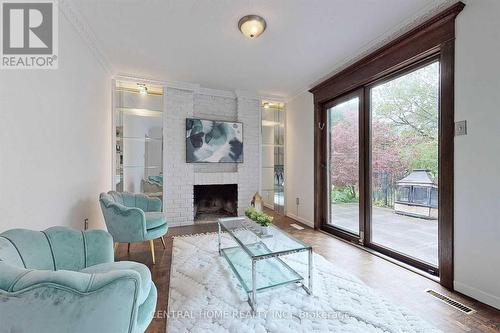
139, 138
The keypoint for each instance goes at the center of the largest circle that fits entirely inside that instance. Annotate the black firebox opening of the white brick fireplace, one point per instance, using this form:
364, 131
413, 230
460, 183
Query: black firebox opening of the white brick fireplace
215, 201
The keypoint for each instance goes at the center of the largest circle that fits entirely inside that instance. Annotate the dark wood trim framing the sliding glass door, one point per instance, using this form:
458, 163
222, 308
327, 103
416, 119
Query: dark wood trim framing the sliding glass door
433, 38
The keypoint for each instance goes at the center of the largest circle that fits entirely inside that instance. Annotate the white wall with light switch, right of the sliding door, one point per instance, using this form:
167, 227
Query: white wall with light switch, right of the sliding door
477, 158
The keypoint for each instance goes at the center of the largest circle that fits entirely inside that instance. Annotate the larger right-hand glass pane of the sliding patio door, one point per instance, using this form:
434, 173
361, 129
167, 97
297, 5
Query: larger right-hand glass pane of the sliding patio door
404, 124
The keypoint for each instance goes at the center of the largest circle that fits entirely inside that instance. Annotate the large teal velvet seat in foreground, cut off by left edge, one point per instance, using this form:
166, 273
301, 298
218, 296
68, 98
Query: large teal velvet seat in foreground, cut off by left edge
65, 280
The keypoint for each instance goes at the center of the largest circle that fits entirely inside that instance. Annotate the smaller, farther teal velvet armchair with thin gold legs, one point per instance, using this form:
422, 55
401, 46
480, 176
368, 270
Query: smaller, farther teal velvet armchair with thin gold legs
133, 218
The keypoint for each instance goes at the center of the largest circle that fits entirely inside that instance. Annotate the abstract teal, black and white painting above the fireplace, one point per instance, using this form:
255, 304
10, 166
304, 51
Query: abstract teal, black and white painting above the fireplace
211, 141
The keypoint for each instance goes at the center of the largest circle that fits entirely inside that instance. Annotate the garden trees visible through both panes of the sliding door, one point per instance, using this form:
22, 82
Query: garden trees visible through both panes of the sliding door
404, 134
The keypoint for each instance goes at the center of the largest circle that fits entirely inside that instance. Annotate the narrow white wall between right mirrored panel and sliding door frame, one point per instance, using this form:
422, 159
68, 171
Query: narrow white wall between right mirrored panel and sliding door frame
299, 164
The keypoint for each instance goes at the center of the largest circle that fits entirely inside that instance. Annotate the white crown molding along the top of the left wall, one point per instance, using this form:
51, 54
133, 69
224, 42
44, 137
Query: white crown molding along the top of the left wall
83, 29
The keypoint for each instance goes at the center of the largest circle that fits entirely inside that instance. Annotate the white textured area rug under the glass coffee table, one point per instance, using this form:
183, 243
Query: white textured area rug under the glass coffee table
205, 296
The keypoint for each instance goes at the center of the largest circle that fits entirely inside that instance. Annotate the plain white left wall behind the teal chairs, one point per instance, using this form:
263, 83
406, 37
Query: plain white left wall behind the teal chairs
55, 143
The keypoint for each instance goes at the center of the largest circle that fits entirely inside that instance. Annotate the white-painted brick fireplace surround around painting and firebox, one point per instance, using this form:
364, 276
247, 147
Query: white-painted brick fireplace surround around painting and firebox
179, 176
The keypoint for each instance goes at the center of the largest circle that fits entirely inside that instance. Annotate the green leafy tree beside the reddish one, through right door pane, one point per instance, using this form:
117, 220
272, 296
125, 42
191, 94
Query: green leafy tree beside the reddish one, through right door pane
410, 105
